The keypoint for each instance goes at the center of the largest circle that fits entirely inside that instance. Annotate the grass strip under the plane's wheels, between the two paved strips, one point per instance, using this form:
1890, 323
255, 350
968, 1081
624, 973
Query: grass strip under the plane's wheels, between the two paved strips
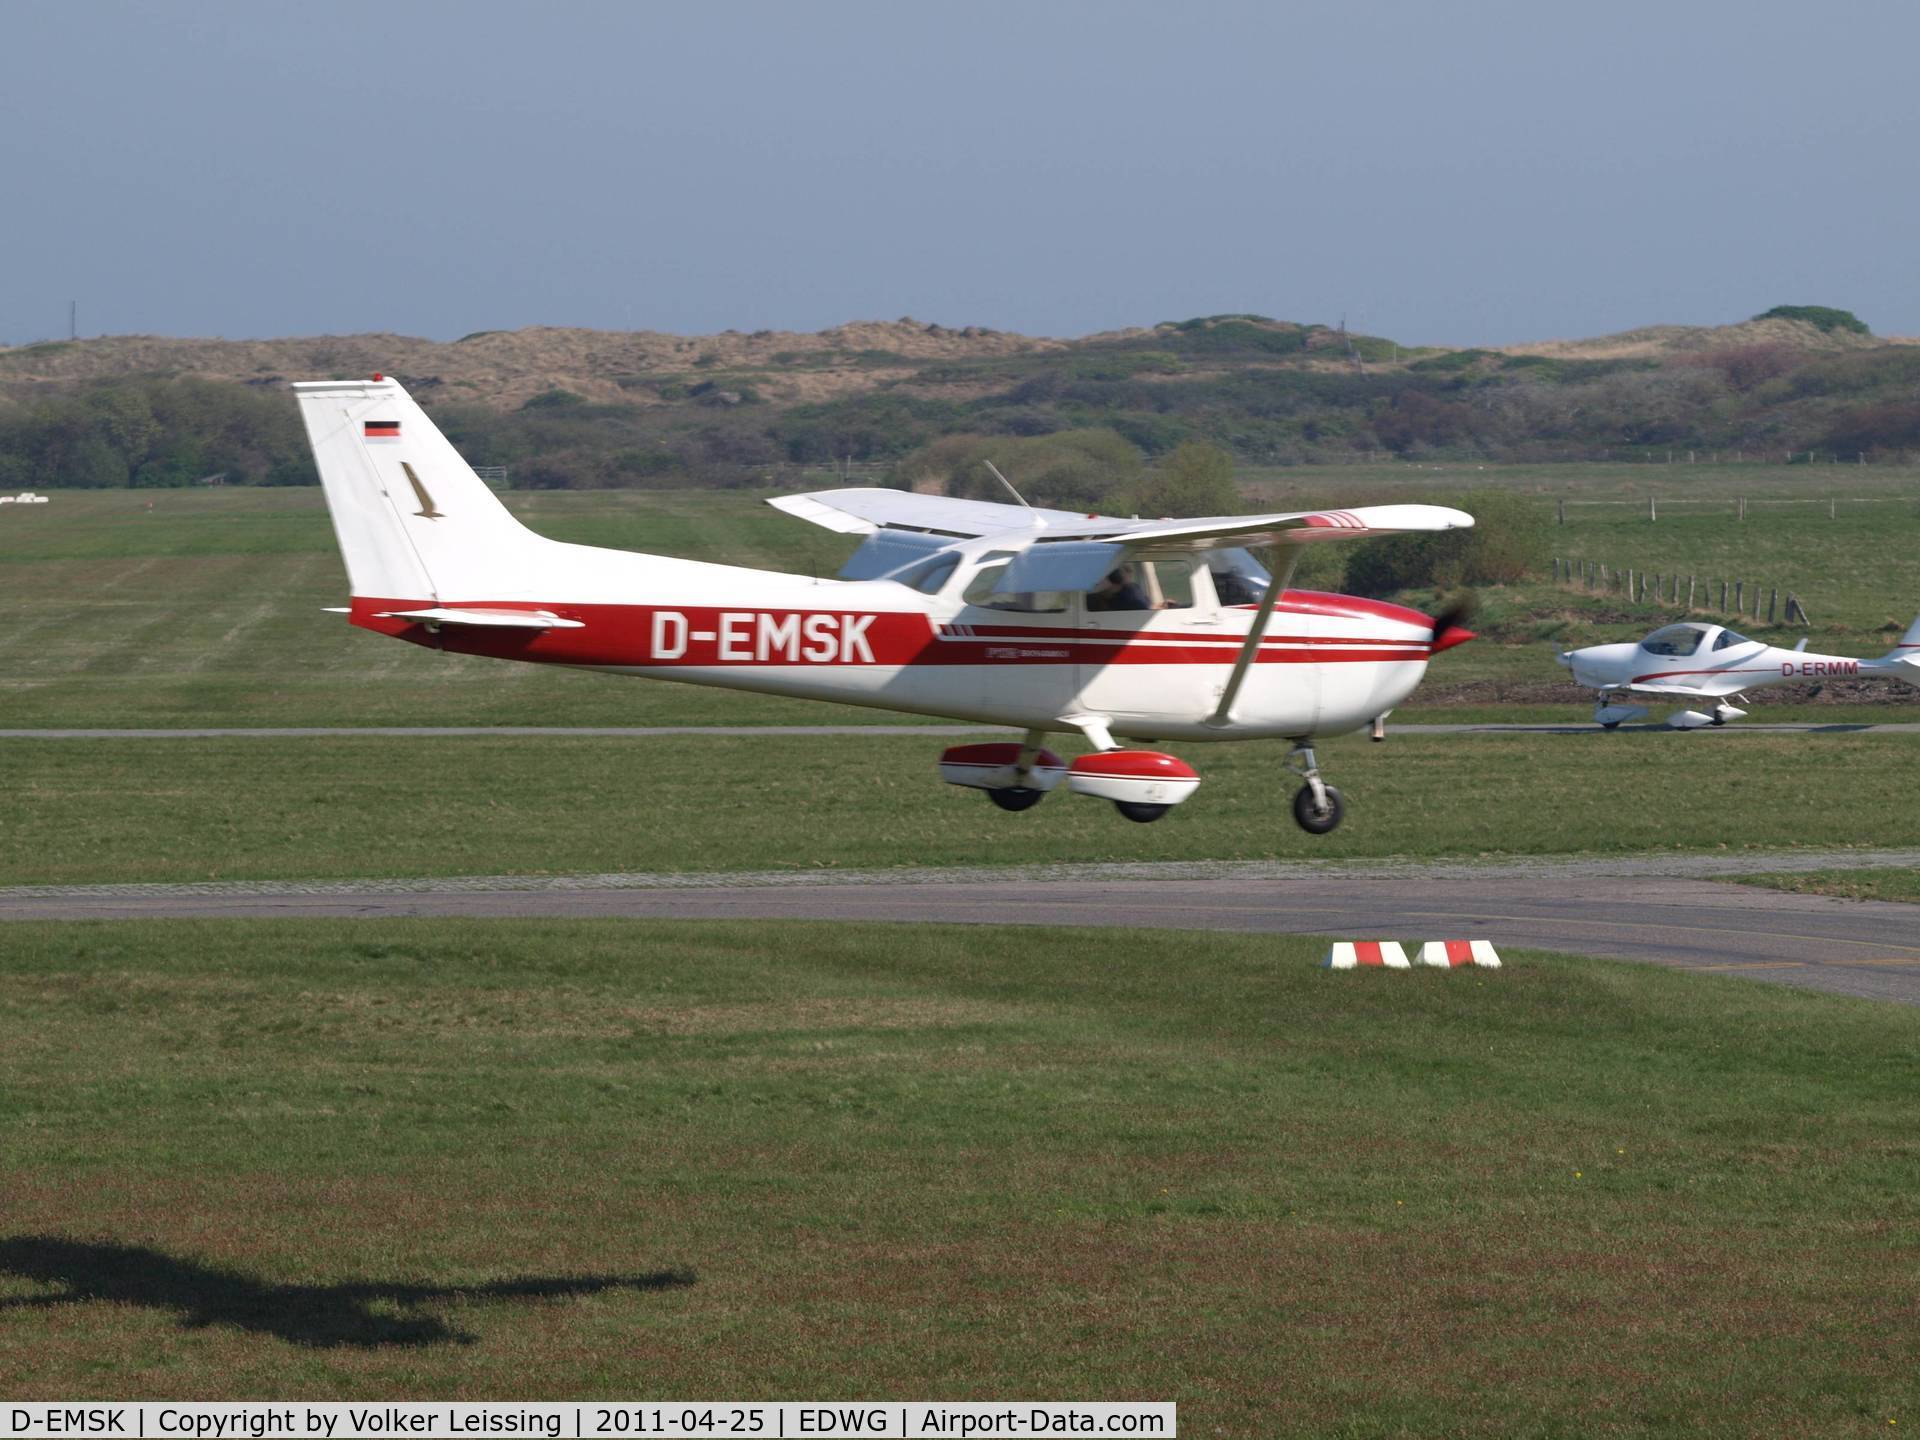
158, 811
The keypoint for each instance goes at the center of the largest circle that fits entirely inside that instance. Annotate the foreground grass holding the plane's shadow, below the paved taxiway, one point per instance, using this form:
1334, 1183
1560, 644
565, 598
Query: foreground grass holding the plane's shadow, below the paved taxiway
1564, 1199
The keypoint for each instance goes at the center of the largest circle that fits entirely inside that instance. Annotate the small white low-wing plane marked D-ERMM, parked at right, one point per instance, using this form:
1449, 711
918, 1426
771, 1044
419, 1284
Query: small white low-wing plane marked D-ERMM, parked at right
1714, 663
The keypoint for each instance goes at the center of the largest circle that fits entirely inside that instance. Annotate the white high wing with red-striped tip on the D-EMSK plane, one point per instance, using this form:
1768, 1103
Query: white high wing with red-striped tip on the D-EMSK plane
1072, 552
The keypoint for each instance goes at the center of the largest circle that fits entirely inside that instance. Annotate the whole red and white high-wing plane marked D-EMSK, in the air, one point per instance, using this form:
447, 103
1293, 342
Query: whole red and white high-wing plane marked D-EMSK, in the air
999, 613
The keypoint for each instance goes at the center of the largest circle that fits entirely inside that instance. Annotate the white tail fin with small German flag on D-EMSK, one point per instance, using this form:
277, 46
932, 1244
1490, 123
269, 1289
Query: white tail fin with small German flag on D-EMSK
414, 519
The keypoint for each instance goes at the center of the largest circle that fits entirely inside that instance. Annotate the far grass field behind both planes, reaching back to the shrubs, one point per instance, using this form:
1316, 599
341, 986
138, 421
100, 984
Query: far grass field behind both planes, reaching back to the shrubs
208, 610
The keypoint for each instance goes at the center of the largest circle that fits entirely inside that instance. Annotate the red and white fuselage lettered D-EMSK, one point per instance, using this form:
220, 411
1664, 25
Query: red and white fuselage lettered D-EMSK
1326, 663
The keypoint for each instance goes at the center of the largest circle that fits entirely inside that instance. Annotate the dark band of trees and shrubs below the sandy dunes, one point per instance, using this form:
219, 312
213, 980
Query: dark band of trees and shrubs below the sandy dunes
1260, 391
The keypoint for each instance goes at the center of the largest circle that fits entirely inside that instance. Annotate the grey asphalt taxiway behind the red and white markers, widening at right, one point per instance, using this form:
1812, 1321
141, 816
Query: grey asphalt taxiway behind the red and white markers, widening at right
1656, 909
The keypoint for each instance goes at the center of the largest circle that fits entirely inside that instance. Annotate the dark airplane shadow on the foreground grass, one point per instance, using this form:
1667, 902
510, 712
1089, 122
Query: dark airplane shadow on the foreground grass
320, 1316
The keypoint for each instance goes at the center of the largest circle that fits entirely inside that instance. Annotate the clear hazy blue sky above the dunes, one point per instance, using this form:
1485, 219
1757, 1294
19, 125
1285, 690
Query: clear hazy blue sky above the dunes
1441, 174
